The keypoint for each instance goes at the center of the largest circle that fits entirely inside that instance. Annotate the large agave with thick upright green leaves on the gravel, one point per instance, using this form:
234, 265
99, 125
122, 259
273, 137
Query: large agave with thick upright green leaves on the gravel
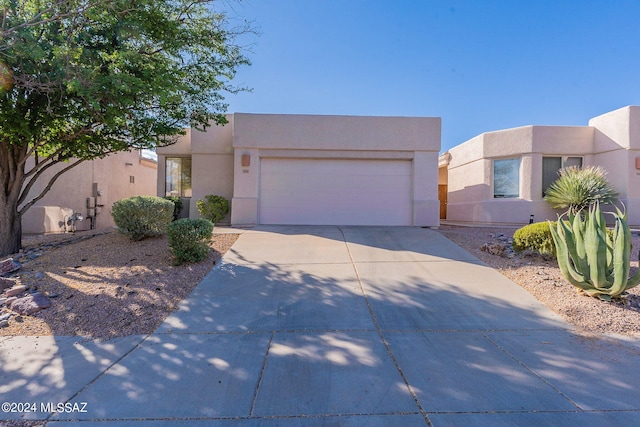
592, 259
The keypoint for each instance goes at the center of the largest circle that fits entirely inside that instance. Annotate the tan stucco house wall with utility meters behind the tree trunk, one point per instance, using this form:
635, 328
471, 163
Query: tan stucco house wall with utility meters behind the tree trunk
89, 190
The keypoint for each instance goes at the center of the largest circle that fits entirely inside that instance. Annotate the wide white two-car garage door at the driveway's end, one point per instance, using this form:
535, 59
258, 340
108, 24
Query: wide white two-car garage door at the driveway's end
340, 192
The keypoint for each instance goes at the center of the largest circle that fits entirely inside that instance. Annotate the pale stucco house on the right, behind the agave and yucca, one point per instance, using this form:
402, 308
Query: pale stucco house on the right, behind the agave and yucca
500, 177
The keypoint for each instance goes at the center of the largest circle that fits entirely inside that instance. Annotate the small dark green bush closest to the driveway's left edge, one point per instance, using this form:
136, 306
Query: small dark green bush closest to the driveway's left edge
189, 239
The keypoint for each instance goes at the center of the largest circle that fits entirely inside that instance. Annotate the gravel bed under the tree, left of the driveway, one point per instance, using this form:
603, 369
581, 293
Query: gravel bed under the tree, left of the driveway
103, 285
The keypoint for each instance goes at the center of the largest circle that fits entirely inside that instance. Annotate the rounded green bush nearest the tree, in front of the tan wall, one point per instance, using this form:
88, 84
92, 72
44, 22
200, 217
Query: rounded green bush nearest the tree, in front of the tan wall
142, 216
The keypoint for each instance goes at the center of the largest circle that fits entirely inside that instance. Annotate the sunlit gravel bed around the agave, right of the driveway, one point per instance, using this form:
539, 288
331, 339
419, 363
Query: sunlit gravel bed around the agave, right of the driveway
543, 280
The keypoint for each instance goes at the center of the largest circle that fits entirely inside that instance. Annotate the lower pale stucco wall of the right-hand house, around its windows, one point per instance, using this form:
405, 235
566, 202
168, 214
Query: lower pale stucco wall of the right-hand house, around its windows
470, 173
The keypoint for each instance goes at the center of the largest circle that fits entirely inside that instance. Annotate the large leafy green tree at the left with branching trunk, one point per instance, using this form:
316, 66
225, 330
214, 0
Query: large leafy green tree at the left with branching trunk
80, 79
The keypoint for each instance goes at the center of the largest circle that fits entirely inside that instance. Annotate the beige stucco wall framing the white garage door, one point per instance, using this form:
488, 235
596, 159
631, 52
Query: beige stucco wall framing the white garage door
310, 136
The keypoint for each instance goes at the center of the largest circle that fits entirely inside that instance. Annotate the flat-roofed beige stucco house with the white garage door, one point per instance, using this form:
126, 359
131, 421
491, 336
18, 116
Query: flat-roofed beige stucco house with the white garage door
310, 169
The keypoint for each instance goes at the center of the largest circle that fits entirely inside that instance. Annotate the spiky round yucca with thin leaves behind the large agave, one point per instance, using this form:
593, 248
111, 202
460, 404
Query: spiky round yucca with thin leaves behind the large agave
579, 188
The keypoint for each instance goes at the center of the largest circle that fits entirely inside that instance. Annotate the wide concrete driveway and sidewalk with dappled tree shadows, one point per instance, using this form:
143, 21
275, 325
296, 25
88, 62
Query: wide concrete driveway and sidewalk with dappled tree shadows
340, 326
